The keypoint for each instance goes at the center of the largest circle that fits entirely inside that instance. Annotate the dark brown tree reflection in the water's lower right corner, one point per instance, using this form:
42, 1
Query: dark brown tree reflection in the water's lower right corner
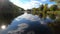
55, 26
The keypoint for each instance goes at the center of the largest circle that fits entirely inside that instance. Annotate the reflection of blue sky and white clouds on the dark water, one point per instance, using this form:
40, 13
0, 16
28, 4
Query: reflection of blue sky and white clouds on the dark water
28, 21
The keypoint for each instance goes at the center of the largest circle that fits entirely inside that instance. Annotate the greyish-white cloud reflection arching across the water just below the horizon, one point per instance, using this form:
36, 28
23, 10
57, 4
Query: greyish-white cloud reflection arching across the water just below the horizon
28, 17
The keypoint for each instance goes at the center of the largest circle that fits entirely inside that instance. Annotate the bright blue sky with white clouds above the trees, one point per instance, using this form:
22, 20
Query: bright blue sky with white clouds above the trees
28, 4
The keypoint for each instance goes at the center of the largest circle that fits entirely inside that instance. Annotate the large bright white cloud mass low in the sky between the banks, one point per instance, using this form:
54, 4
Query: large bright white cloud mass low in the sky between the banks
27, 5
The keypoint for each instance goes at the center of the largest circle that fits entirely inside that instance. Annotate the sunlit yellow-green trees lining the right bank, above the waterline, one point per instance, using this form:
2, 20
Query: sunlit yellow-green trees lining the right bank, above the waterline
46, 8
